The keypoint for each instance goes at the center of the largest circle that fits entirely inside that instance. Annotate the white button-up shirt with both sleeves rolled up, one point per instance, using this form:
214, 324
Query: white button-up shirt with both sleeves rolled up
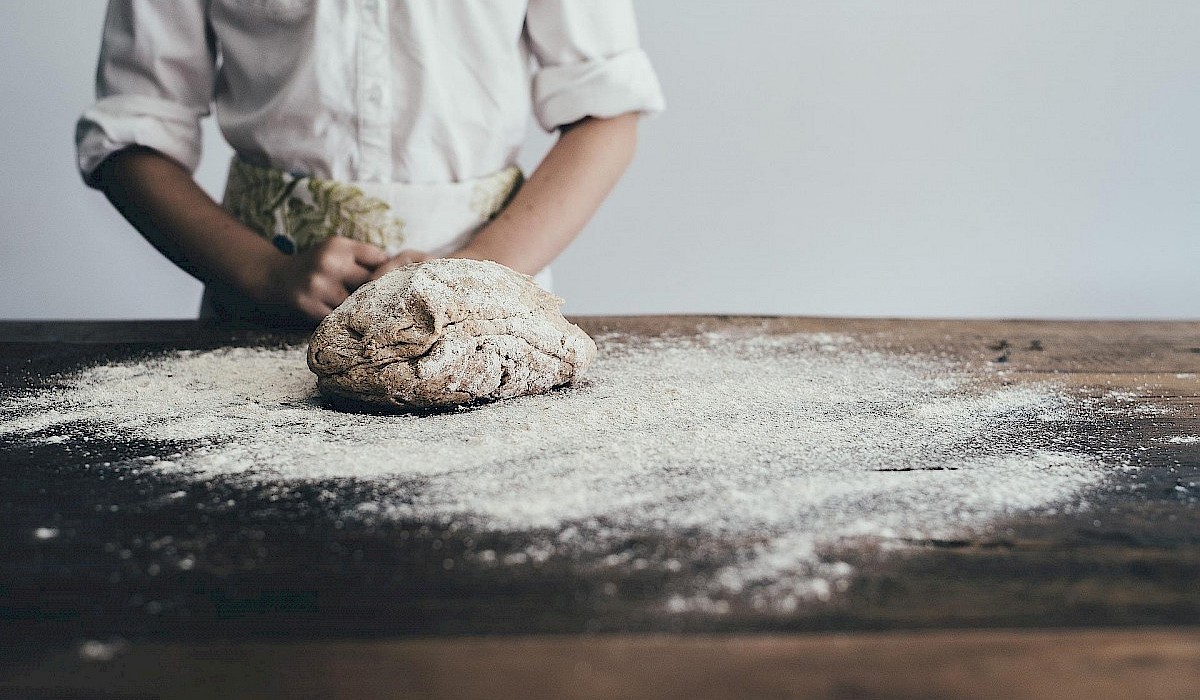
362, 91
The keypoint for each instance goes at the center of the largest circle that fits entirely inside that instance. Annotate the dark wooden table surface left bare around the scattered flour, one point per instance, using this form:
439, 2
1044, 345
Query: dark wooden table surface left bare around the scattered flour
1101, 603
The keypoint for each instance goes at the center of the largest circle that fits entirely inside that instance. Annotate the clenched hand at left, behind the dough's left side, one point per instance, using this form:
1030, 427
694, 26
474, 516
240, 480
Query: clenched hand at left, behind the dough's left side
319, 280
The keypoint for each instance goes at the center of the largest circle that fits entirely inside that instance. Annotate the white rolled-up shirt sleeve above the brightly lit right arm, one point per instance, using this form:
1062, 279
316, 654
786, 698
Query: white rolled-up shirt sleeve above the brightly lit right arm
590, 62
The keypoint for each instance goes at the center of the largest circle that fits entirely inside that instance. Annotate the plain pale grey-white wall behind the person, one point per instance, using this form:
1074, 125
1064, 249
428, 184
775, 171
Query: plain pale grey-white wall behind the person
927, 158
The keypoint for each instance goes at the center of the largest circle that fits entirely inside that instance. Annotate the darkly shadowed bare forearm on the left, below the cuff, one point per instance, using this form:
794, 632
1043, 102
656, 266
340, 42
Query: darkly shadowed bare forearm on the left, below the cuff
173, 213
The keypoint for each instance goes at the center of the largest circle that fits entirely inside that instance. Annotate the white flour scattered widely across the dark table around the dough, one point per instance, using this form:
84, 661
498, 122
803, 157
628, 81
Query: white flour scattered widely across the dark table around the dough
782, 446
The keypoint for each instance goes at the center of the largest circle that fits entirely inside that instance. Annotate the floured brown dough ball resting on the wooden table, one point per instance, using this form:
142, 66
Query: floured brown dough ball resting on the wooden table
447, 333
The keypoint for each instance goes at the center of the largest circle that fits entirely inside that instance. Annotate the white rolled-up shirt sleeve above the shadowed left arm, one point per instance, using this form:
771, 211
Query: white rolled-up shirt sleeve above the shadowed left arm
154, 83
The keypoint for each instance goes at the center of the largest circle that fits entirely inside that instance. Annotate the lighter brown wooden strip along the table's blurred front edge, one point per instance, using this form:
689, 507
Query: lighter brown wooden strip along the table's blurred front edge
1053, 665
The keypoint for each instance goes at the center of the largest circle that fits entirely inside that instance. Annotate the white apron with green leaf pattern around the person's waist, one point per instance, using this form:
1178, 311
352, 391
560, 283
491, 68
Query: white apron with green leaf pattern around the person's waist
297, 213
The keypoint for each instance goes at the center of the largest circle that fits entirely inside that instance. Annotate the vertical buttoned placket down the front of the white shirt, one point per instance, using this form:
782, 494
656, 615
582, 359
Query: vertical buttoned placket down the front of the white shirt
375, 92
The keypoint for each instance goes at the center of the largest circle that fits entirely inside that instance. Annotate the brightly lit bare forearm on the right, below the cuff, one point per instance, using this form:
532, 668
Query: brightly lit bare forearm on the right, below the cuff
561, 196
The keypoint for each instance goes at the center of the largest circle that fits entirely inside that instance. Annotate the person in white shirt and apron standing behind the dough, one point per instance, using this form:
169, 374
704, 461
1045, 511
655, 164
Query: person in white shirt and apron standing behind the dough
368, 135
